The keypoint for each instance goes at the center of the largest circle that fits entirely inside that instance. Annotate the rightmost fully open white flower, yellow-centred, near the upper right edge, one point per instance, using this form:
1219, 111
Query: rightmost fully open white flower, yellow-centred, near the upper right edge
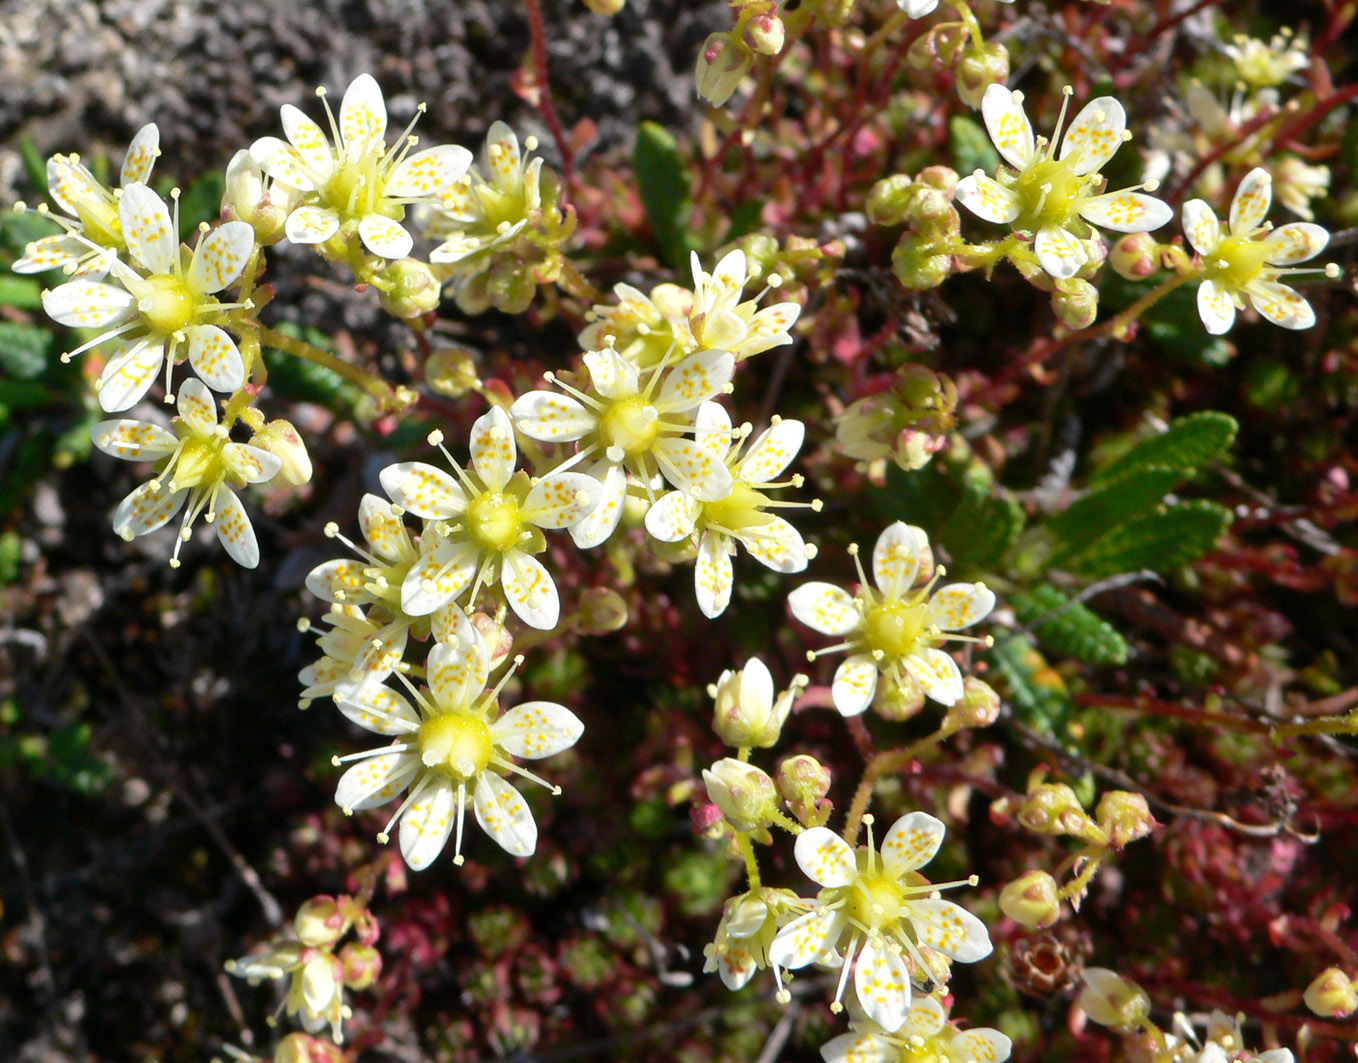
1249, 257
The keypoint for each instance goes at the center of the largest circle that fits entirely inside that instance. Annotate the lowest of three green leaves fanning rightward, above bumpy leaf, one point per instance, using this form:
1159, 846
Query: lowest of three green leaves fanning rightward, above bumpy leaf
1162, 541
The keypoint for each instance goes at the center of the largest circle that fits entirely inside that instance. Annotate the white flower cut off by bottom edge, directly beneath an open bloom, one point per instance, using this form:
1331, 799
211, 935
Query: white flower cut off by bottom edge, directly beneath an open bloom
925, 1035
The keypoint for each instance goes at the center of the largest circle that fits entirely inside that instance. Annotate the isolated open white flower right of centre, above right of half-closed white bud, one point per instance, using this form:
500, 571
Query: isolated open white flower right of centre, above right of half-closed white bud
894, 629
